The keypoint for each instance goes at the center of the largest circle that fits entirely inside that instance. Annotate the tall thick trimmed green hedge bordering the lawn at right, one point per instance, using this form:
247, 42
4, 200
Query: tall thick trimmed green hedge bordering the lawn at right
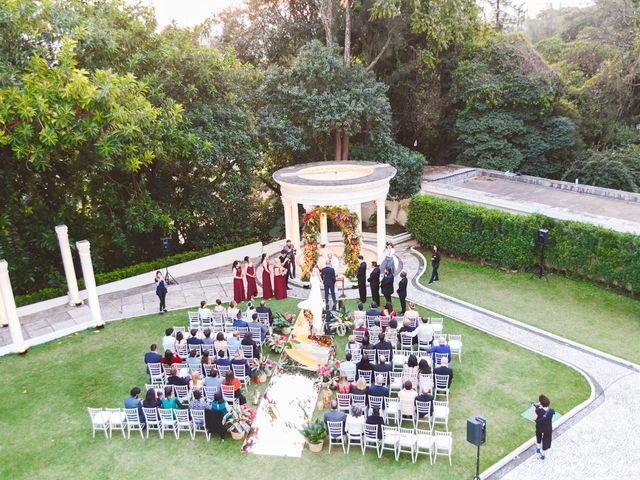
507, 240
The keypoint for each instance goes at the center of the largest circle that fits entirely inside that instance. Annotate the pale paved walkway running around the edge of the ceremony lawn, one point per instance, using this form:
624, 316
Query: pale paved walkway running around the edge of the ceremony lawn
601, 440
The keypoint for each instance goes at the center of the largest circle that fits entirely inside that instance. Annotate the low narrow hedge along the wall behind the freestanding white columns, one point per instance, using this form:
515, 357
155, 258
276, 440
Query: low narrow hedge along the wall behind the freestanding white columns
130, 271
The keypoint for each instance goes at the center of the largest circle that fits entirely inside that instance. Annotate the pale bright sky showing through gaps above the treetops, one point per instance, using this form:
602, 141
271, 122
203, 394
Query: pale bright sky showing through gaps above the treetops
188, 13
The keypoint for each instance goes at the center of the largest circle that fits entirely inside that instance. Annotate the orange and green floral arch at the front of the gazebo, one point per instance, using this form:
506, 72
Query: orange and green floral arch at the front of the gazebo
347, 222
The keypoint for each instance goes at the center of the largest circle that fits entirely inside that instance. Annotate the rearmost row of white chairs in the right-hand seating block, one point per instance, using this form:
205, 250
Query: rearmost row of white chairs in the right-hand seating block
398, 440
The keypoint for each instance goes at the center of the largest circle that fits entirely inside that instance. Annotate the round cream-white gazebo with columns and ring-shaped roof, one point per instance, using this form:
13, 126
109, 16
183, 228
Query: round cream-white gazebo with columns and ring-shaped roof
334, 183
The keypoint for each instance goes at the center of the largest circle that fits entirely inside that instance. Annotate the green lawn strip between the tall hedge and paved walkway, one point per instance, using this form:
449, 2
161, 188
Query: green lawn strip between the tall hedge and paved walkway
573, 309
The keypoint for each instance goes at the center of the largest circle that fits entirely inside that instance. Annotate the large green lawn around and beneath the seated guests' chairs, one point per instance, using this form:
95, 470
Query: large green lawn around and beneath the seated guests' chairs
45, 430
